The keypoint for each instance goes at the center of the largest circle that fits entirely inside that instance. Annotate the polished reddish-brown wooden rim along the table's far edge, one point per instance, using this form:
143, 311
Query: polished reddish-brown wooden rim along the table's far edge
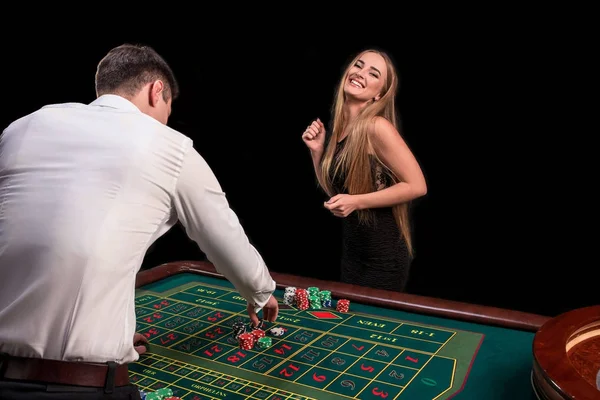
381, 298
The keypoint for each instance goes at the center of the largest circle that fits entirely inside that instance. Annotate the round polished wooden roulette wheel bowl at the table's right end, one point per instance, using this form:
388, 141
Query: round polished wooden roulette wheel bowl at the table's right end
566, 353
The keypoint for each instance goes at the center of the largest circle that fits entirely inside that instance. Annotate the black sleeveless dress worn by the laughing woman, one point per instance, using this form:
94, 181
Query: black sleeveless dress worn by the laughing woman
374, 253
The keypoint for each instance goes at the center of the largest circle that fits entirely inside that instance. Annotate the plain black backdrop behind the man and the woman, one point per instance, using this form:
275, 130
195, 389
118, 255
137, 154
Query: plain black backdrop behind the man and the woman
492, 106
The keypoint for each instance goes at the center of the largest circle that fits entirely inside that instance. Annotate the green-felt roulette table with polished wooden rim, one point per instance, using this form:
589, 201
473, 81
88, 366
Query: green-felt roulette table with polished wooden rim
387, 346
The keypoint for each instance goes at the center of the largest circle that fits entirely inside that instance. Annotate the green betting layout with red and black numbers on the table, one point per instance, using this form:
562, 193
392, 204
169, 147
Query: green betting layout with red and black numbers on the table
322, 353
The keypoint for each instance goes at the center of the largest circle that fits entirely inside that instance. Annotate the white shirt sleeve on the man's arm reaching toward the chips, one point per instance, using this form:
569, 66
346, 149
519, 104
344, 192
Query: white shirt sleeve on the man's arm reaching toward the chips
204, 211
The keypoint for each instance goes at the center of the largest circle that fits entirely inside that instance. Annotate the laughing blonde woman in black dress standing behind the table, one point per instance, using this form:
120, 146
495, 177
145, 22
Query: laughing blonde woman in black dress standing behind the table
369, 174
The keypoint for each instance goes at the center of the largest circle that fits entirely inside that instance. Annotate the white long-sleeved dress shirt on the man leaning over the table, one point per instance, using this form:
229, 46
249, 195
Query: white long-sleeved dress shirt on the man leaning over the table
84, 191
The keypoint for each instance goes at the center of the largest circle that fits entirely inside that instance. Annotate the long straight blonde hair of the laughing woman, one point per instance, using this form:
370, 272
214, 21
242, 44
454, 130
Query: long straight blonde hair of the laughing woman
354, 159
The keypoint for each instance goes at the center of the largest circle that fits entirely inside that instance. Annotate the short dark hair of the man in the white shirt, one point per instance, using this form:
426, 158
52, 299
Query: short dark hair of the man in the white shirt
127, 68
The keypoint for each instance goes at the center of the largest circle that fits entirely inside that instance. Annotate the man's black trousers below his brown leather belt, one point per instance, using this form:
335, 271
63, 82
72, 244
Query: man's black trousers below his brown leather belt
22, 390
